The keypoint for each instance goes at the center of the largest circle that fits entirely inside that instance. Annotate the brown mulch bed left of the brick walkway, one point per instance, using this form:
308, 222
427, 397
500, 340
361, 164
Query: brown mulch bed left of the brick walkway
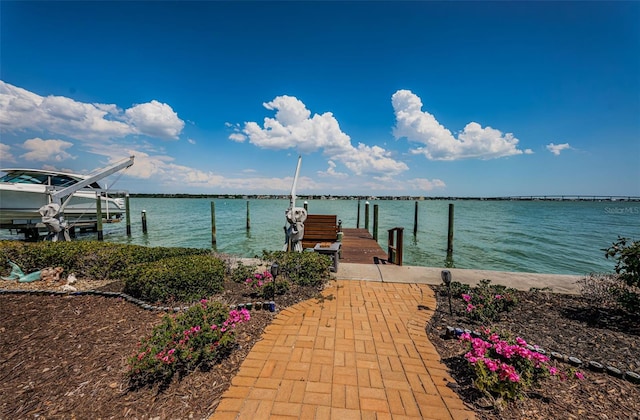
65, 357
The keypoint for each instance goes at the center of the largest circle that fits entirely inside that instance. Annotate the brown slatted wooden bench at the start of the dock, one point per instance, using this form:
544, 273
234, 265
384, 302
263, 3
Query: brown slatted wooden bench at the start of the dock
321, 235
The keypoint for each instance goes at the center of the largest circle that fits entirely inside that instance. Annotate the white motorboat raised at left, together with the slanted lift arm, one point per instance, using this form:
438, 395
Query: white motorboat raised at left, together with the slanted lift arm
23, 192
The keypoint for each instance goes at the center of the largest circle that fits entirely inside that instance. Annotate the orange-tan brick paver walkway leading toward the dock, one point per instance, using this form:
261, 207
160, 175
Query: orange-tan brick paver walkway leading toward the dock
360, 353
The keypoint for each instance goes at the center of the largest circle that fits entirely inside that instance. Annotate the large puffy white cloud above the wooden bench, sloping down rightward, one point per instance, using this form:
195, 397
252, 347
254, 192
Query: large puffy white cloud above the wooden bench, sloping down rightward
295, 128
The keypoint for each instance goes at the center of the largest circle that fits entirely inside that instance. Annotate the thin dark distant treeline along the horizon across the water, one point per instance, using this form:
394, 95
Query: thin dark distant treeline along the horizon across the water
411, 198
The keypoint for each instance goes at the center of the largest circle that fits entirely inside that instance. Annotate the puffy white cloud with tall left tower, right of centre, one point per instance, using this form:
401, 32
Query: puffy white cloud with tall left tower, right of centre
438, 142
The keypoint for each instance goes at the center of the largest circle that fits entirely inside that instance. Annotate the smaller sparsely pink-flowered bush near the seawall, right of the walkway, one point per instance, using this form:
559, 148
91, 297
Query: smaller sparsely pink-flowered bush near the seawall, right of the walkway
486, 301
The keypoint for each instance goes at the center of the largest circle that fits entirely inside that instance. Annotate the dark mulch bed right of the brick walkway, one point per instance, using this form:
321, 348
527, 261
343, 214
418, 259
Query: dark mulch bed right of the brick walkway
566, 324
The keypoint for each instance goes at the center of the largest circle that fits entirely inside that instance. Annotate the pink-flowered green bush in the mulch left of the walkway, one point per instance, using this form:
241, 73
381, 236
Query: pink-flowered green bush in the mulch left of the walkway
199, 337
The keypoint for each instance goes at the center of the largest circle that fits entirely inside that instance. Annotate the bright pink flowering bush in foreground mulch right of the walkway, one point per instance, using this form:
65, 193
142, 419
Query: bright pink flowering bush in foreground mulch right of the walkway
506, 367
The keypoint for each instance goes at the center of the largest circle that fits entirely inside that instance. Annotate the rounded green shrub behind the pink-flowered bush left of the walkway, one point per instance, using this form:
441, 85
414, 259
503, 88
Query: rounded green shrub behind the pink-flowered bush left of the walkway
177, 279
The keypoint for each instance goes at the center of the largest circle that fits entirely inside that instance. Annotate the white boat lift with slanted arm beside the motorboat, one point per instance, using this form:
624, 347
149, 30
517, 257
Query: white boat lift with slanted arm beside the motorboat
53, 213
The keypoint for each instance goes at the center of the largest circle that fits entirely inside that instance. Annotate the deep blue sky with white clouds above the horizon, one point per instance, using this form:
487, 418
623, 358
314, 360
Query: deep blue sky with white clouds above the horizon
379, 98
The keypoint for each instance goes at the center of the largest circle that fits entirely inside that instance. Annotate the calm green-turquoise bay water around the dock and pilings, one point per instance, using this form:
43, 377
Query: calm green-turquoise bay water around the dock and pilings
563, 237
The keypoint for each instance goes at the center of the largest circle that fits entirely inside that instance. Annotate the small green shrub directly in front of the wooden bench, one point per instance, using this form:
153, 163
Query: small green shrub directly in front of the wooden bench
302, 268
